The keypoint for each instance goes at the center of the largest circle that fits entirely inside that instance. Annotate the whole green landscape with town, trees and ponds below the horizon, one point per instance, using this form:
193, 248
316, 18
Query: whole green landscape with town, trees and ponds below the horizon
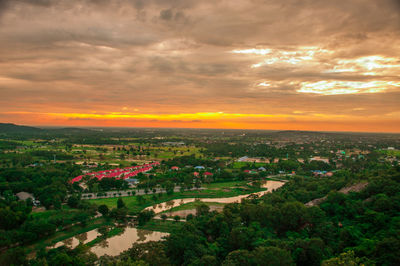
165, 196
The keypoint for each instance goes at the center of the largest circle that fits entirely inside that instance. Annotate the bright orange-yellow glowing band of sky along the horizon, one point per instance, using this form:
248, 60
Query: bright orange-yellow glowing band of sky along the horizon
298, 120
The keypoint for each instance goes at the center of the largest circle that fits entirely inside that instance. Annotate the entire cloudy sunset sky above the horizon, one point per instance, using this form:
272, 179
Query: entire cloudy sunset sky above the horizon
272, 64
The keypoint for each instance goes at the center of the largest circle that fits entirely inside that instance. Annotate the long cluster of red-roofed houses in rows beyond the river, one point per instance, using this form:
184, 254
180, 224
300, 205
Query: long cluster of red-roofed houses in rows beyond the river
118, 173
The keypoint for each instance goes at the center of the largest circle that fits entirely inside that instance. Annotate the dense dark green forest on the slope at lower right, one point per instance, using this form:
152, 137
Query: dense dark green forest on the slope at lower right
359, 228
